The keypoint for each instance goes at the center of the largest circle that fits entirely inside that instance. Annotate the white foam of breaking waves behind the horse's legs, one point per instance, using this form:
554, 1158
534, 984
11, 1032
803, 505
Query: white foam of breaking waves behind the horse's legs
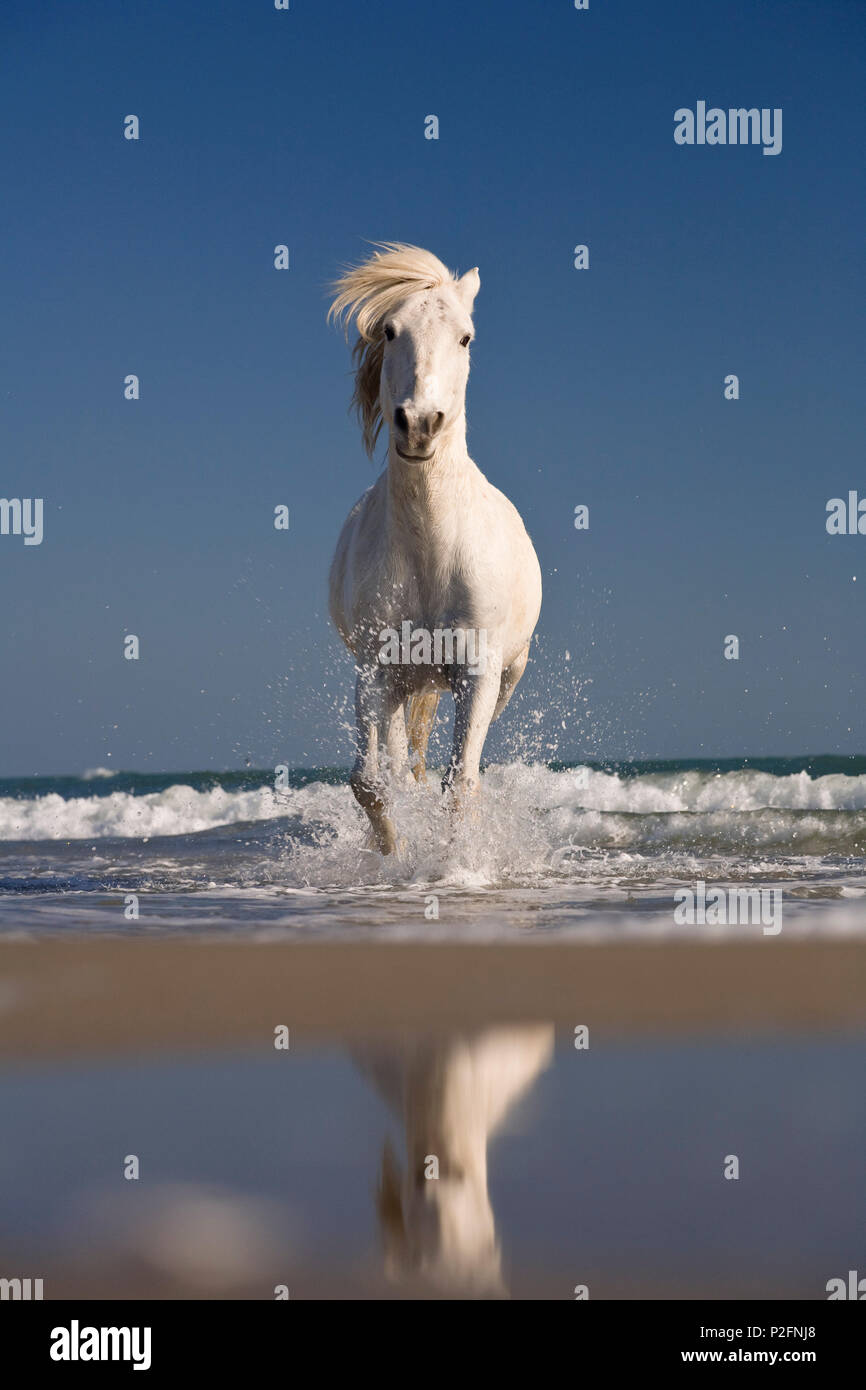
573, 808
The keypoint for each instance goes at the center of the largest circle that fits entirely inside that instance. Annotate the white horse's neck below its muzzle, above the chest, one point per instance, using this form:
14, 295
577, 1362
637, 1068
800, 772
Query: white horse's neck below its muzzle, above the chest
425, 497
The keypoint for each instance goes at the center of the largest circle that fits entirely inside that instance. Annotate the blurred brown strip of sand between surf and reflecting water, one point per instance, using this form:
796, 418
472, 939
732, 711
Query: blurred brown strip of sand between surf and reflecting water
85, 996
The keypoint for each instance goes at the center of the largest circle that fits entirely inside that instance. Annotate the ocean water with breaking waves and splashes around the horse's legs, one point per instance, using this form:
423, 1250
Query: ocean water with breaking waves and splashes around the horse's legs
587, 851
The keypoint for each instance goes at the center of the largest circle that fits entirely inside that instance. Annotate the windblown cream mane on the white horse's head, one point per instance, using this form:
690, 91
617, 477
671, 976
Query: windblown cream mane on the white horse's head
368, 294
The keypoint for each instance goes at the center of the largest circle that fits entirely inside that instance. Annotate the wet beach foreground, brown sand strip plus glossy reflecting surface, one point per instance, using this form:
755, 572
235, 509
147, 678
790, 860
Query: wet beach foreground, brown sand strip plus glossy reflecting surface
258, 1167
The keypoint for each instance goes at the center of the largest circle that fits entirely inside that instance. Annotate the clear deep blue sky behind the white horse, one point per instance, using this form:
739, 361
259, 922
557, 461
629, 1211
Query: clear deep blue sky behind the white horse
600, 387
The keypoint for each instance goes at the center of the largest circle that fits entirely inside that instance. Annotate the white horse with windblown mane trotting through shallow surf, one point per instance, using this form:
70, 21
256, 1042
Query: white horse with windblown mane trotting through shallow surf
432, 544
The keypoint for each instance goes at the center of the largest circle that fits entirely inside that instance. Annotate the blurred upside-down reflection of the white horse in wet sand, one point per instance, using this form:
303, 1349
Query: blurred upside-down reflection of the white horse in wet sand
451, 1097
